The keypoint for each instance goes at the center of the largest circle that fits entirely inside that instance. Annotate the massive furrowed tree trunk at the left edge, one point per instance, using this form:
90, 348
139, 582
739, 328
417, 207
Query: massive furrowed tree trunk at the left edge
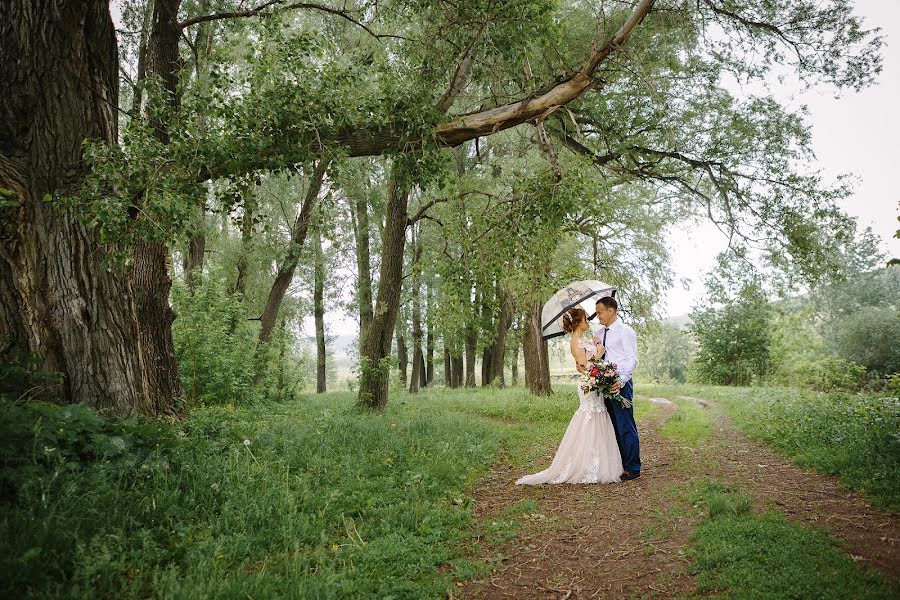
59, 65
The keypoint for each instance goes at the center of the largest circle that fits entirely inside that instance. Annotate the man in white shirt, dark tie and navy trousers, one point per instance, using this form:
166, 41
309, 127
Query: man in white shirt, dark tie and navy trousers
620, 342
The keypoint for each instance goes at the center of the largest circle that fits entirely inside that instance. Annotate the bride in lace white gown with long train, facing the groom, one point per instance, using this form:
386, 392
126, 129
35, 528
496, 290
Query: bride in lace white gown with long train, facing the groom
588, 452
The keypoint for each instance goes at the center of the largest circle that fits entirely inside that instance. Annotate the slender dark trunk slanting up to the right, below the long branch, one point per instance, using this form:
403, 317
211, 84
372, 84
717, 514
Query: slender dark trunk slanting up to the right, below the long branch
289, 264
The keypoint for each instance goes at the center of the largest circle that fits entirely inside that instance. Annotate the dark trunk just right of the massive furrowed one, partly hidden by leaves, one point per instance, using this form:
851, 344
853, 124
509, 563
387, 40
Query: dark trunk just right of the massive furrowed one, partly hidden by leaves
152, 260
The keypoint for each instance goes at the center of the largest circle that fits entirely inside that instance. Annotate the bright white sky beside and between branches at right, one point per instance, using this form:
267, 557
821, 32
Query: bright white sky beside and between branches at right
853, 134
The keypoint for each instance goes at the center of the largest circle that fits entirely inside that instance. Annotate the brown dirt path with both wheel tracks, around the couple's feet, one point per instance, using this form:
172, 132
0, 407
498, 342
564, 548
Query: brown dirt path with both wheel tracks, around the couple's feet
575, 550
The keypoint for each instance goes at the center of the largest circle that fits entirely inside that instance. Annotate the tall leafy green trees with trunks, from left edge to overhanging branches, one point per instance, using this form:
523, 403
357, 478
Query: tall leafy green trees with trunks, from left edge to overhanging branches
479, 153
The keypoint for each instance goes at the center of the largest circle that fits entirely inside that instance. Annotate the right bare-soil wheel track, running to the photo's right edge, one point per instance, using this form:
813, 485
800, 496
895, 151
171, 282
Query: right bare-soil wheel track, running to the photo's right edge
868, 534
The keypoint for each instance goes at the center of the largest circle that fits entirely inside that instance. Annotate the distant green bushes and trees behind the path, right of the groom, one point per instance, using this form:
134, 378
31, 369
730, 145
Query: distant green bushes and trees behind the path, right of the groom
838, 335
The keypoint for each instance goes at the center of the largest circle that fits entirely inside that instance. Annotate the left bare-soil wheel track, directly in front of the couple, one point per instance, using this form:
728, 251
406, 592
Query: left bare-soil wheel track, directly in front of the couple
592, 544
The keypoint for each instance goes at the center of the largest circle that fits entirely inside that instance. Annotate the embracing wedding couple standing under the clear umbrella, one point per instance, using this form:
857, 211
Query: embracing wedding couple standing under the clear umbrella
601, 443
